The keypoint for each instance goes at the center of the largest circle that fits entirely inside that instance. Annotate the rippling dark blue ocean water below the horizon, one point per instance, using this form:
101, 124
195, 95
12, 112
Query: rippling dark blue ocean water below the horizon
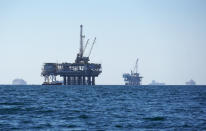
102, 108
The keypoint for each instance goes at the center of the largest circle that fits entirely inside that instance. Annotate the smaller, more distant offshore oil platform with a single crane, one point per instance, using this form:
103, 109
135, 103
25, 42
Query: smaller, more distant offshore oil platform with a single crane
133, 79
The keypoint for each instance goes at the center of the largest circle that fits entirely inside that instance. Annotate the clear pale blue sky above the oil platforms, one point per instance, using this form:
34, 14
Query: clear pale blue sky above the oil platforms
168, 37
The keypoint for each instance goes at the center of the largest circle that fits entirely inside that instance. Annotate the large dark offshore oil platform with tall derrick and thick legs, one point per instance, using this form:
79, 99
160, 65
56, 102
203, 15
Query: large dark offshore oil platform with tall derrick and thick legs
81, 72
